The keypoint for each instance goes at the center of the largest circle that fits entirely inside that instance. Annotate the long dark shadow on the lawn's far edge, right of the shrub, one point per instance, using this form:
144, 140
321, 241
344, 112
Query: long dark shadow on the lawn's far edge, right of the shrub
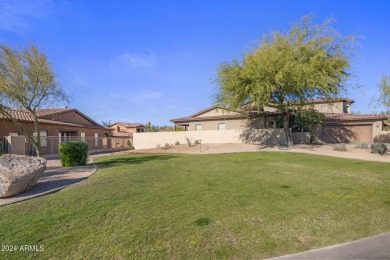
133, 160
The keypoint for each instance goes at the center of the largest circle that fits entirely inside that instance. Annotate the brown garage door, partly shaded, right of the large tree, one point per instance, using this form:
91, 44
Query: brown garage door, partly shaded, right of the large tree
347, 133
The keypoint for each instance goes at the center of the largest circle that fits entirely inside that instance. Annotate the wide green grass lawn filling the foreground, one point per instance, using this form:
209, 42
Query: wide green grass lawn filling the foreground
244, 205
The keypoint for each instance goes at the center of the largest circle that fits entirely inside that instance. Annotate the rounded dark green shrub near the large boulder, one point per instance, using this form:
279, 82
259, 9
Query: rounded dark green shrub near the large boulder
73, 153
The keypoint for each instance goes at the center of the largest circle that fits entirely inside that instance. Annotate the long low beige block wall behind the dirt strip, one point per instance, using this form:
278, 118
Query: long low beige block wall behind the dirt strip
256, 136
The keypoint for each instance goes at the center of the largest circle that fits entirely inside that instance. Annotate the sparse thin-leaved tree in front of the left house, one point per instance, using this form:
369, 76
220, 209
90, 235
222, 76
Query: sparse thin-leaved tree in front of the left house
27, 82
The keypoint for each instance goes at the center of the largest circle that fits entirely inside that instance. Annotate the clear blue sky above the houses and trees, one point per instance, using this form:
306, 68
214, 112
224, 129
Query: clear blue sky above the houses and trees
138, 61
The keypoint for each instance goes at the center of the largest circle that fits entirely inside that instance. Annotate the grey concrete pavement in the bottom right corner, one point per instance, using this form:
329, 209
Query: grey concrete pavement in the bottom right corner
376, 247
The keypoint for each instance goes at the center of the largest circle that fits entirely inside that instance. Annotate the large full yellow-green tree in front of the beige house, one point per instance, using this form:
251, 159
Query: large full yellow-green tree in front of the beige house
286, 70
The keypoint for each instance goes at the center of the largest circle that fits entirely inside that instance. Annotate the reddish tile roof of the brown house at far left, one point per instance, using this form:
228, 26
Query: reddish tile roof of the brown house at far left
24, 116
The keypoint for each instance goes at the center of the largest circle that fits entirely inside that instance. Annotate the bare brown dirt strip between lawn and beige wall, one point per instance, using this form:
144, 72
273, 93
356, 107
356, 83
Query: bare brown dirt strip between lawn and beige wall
352, 152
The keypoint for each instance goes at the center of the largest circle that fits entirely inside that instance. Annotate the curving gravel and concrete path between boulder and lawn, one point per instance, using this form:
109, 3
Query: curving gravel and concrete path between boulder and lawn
54, 179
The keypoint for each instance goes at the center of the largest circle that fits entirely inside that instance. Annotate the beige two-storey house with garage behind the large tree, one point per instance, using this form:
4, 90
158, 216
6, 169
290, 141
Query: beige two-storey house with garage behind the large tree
339, 125
